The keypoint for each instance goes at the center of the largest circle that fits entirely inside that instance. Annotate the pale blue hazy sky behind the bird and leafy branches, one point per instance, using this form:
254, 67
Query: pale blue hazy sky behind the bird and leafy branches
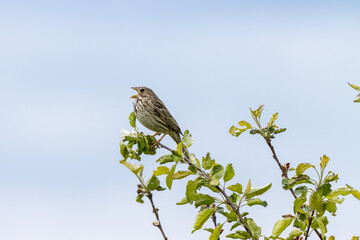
66, 69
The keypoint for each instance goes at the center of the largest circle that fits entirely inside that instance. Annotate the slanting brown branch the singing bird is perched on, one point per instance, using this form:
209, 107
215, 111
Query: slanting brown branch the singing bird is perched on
228, 201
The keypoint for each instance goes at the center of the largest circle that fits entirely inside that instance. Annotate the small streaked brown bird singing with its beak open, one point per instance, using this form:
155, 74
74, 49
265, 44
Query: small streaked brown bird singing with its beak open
153, 114
